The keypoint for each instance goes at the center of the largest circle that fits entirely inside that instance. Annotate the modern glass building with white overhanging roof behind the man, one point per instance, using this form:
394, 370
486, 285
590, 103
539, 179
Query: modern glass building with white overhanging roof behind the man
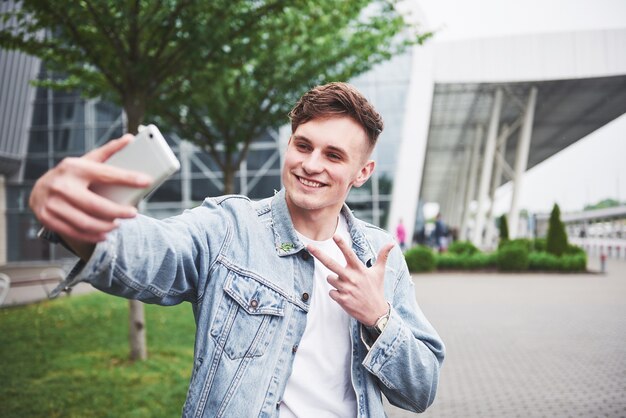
461, 119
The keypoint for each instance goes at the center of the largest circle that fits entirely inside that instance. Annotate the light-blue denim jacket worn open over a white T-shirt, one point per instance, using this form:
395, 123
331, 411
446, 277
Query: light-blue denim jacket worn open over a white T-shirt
249, 279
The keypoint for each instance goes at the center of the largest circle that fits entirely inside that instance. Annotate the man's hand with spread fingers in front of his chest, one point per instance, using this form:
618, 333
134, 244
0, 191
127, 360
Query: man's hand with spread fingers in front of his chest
357, 289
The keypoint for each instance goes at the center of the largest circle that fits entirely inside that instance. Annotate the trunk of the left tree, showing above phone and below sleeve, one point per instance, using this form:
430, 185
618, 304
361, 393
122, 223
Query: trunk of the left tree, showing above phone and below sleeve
137, 324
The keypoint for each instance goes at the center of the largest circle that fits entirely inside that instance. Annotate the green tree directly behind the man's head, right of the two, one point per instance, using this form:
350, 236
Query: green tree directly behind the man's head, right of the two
225, 107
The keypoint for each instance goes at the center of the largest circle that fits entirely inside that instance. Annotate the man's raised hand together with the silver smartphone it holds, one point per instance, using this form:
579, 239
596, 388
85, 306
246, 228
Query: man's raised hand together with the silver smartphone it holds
81, 198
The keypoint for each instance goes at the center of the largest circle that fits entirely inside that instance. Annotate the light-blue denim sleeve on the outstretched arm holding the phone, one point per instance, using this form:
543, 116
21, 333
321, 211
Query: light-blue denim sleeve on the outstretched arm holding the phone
156, 261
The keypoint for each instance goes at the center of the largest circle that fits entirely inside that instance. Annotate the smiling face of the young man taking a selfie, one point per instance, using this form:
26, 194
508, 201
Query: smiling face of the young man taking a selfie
324, 159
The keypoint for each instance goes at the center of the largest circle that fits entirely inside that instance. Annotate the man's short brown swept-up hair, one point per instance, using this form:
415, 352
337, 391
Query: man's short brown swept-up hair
336, 100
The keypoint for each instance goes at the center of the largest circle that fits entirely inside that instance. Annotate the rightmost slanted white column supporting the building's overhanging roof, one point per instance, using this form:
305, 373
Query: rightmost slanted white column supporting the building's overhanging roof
521, 160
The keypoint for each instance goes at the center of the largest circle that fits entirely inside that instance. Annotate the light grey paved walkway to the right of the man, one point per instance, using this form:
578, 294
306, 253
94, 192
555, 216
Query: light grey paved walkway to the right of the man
524, 345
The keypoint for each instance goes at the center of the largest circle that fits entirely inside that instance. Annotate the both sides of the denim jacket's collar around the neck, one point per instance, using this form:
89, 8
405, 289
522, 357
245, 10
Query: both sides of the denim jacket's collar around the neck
286, 239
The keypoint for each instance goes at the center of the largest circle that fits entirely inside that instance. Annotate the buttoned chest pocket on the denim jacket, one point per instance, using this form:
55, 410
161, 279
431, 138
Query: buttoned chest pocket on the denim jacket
247, 317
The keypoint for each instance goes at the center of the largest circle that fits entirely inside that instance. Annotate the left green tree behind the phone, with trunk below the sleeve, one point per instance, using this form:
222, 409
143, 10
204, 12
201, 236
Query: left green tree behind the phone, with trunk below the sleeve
132, 53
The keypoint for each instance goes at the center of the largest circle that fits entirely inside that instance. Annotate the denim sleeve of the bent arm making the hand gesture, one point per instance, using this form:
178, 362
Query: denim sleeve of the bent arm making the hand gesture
406, 358
